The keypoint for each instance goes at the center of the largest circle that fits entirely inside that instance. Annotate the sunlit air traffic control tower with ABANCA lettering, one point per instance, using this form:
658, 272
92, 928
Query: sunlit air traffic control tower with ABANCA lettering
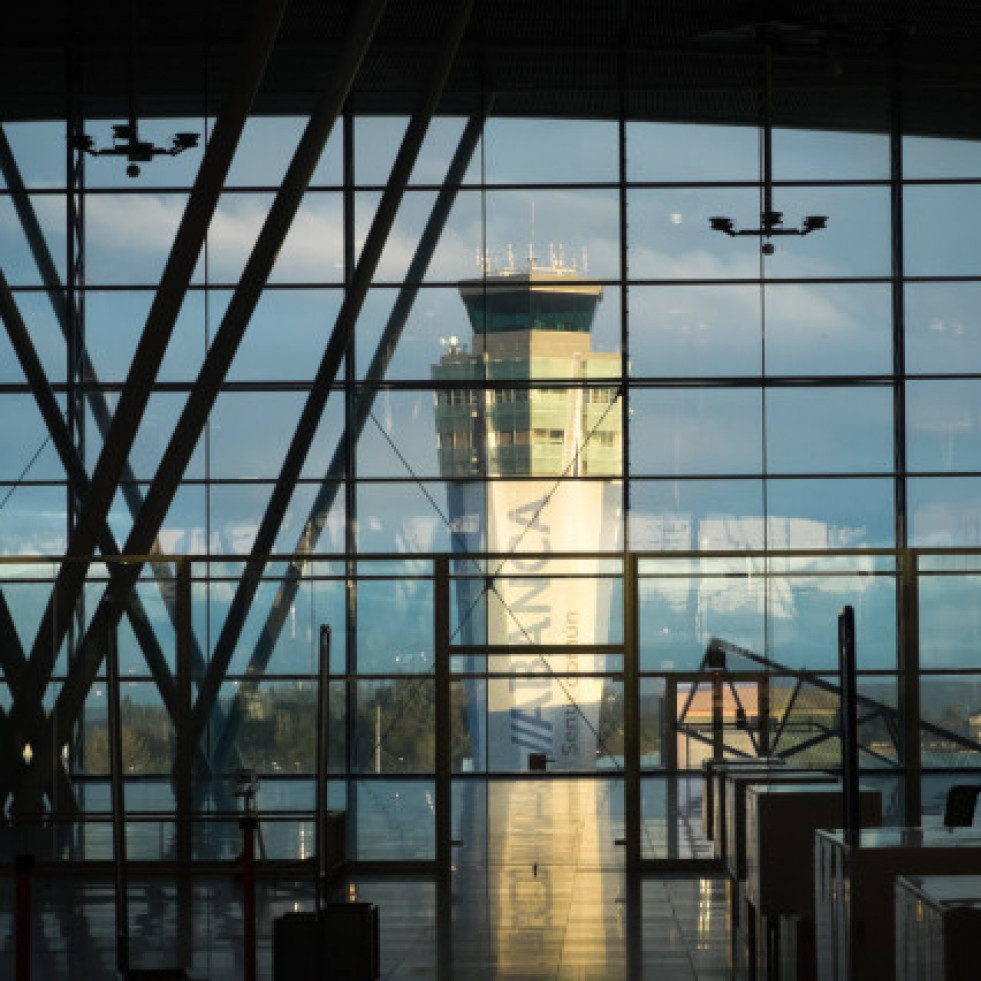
532, 462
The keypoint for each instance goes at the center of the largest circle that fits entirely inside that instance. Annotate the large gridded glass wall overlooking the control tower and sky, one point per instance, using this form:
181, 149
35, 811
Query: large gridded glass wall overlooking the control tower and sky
715, 408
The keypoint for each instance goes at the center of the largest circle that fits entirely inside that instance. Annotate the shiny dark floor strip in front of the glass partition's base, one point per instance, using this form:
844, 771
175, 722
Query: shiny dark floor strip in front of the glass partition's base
577, 925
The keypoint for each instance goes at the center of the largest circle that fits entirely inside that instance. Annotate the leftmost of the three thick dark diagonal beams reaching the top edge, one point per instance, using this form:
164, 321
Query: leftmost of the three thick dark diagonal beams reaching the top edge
188, 242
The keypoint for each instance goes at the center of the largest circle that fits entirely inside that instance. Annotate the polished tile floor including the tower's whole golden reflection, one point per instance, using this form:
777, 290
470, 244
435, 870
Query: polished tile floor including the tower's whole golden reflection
537, 891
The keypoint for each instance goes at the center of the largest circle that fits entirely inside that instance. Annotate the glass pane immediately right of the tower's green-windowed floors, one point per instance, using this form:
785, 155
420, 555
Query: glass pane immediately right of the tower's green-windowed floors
701, 431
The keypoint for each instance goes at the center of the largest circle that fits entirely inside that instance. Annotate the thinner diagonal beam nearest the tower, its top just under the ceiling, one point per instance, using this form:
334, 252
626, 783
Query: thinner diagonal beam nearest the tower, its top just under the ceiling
382, 358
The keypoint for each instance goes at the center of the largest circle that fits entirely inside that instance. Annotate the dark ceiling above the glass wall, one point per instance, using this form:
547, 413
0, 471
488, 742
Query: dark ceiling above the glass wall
835, 61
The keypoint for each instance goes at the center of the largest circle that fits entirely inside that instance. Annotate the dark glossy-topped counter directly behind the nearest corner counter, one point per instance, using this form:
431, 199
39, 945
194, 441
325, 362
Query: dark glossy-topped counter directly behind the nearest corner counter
855, 882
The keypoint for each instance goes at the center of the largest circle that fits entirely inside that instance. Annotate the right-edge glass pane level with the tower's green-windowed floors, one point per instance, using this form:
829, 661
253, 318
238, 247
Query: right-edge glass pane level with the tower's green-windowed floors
943, 430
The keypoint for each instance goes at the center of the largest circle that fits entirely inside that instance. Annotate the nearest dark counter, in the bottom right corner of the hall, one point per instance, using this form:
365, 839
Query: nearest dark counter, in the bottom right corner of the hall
938, 927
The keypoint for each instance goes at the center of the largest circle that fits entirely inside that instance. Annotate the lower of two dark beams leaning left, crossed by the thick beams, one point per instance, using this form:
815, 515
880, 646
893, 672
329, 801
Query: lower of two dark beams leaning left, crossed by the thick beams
78, 480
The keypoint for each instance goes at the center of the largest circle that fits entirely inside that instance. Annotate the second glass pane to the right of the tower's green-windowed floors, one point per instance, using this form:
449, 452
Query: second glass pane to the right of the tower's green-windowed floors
829, 430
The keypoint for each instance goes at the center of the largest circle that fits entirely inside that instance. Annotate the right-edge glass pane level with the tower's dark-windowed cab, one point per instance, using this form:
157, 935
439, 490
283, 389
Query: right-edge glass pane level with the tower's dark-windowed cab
943, 327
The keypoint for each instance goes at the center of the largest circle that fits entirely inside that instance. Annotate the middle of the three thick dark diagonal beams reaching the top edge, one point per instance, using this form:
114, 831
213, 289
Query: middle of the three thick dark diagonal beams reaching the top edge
215, 367
